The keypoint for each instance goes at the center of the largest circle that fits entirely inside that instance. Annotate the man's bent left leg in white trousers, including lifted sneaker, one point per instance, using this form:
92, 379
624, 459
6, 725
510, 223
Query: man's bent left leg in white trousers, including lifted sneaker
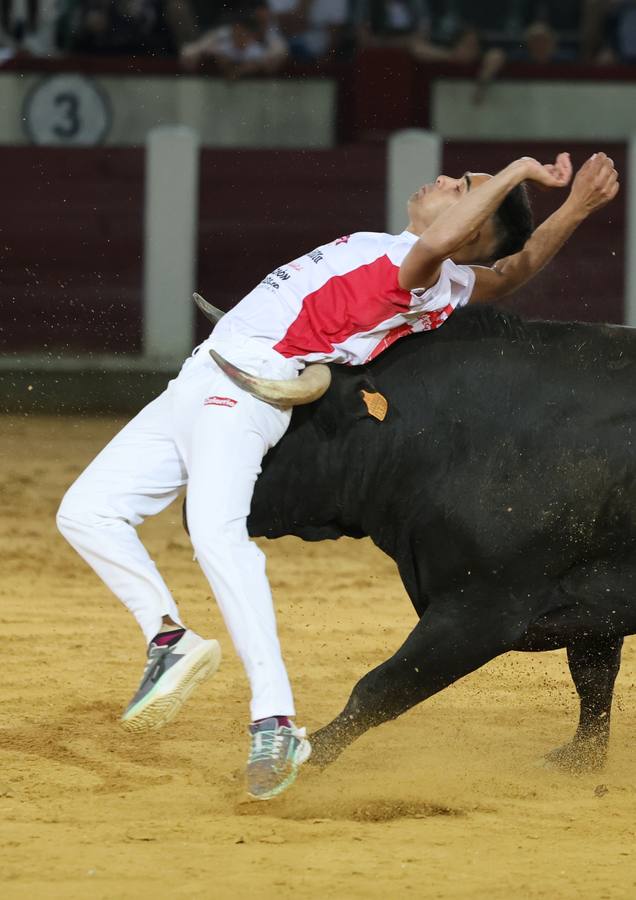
138, 474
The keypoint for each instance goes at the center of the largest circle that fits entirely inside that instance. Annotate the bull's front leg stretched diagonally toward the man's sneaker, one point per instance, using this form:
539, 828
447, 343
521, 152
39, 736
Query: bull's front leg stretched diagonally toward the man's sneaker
451, 640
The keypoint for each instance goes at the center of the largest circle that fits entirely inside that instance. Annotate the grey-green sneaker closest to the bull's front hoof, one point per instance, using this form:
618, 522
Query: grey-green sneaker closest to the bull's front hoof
276, 754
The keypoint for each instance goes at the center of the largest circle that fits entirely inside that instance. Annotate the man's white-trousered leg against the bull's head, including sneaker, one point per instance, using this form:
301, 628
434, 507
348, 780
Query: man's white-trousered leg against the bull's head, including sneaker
226, 448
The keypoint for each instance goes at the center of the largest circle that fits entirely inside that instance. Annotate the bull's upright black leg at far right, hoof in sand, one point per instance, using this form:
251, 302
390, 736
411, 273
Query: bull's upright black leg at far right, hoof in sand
594, 664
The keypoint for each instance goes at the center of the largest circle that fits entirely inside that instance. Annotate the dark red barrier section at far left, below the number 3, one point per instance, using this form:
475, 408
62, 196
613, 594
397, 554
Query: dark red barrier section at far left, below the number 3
71, 242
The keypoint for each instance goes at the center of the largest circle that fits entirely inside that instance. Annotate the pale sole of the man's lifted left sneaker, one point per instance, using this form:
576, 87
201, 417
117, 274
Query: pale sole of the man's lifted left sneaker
162, 705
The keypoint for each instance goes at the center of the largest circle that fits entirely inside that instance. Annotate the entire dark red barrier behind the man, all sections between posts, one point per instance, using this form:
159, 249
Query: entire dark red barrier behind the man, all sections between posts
71, 234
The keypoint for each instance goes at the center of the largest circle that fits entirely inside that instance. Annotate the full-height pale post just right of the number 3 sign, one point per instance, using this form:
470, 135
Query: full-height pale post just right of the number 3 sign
170, 234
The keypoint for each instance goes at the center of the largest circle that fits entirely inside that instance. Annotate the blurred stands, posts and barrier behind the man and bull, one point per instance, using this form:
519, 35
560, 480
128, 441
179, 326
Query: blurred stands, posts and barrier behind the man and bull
286, 112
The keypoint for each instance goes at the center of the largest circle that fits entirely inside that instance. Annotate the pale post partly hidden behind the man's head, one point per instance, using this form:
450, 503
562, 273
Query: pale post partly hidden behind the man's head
414, 159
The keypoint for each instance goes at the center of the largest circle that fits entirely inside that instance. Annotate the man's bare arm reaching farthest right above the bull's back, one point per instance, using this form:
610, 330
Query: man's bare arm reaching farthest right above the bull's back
596, 183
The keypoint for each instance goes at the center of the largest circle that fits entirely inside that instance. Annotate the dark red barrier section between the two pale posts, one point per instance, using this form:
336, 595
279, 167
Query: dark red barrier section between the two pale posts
259, 209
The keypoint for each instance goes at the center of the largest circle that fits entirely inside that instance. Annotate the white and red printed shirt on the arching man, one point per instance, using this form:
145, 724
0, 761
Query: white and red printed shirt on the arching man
343, 302
